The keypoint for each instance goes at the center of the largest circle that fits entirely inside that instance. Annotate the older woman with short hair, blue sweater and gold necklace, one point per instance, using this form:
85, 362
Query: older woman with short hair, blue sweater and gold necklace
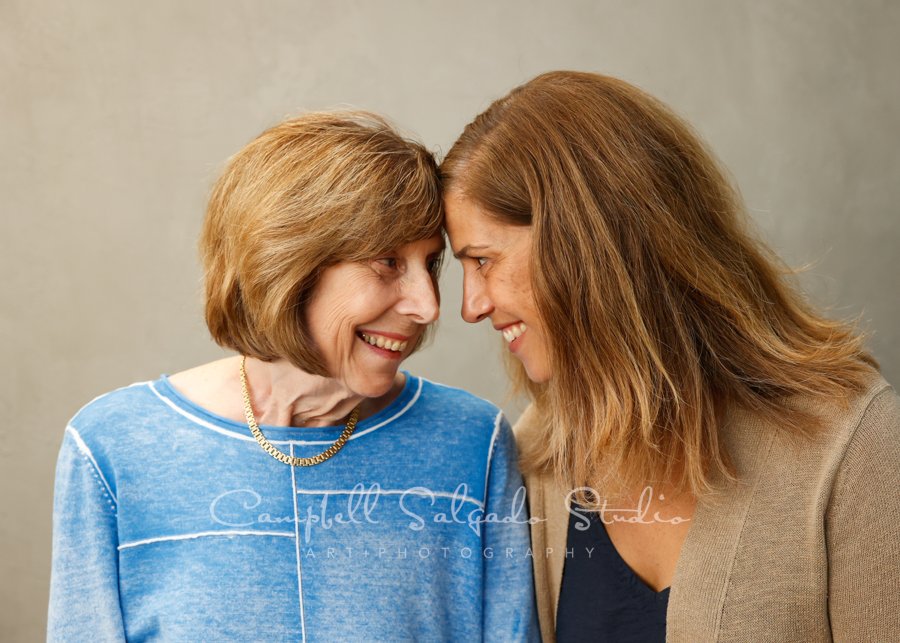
307, 488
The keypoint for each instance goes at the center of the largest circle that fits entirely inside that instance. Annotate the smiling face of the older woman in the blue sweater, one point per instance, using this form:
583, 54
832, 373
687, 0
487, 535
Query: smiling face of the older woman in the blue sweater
366, 317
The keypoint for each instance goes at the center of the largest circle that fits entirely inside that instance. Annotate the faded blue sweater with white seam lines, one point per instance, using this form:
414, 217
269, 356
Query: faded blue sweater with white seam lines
171, 523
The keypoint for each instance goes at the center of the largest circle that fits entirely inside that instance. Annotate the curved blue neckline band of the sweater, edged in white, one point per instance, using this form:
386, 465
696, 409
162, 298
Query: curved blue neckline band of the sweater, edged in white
199, 415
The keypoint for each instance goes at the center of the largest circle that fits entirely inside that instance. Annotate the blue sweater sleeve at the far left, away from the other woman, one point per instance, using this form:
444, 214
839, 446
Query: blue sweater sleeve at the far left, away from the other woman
84, 583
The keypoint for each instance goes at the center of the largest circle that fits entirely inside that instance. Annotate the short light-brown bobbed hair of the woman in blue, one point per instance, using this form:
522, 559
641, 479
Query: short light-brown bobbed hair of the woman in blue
308, 193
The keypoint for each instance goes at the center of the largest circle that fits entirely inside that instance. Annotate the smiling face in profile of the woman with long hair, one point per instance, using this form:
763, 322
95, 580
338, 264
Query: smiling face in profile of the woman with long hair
496, 261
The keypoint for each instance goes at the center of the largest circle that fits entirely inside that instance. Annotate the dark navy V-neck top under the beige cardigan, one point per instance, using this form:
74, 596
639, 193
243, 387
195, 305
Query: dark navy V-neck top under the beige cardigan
601, 598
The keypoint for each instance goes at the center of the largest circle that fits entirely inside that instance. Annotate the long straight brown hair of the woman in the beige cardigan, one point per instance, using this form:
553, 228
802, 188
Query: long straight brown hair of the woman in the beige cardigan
661, 309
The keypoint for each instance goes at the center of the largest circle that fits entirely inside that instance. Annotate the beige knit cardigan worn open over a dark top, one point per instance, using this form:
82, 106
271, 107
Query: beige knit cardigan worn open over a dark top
805, 548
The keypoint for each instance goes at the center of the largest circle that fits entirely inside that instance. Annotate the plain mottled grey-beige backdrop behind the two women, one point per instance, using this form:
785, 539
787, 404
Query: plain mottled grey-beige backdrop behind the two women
116, 117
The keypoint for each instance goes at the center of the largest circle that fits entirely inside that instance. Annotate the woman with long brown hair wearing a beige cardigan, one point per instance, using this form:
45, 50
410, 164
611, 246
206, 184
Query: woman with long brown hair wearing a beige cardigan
730, 459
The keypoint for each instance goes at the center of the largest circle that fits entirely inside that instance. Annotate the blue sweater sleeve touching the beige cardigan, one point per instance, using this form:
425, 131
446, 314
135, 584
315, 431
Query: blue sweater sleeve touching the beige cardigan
509, 609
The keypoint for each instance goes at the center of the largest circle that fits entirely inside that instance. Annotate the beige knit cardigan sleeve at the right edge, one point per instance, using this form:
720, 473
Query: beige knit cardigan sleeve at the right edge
863, 529
